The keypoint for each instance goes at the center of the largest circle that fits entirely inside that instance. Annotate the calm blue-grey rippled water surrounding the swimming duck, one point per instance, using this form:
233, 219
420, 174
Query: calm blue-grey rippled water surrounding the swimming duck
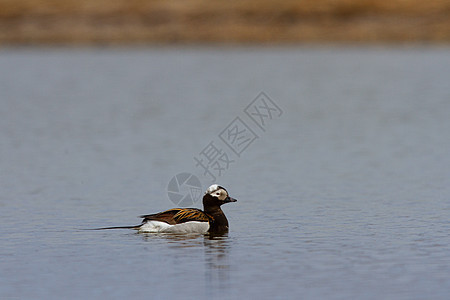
344, 194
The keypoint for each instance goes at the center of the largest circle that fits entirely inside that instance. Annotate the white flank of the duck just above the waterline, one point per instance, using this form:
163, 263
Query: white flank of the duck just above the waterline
187, 227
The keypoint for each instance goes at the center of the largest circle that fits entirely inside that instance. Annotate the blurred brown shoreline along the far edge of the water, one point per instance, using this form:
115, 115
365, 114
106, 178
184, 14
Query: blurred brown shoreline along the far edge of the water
234, 22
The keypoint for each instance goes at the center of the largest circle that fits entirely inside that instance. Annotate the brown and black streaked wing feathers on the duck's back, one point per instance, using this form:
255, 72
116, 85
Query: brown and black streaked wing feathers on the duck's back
178, 215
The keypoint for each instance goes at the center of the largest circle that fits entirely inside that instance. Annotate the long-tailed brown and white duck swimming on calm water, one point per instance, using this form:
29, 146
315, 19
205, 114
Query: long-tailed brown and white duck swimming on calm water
189, 220
